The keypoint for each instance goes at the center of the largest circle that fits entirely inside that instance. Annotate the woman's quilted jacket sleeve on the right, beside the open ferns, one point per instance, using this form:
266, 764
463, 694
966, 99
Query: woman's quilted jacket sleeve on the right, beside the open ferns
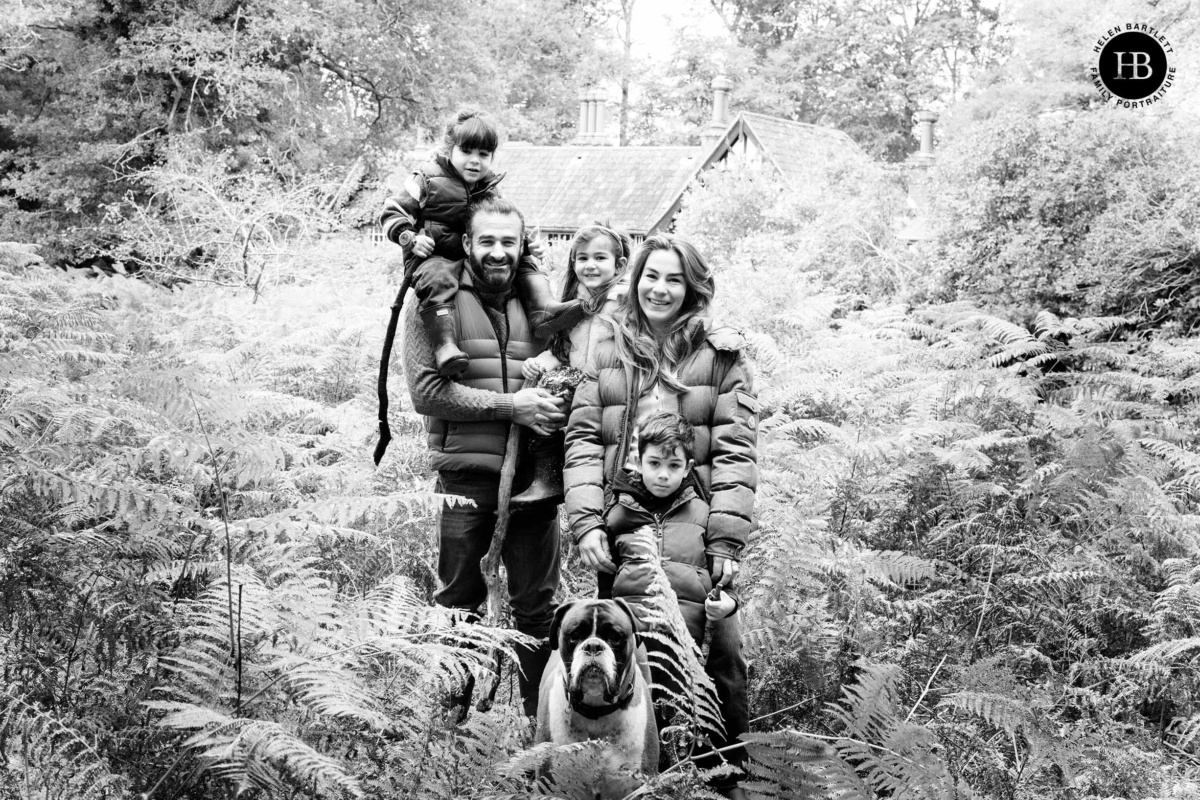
735, 478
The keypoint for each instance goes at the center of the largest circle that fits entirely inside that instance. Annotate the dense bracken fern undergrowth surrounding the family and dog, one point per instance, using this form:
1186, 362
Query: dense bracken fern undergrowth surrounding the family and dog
977, 575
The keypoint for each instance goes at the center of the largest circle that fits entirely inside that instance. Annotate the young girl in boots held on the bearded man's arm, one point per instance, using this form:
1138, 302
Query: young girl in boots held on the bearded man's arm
596, 278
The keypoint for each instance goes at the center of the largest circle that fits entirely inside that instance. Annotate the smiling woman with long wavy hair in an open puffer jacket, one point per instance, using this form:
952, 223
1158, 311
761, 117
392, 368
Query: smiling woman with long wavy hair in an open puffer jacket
667, 357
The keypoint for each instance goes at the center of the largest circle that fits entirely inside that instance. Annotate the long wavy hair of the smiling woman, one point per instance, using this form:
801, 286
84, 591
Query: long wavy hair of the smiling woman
637, 344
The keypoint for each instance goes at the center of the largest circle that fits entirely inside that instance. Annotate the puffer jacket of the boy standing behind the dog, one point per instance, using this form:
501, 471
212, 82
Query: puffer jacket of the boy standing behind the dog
674, 538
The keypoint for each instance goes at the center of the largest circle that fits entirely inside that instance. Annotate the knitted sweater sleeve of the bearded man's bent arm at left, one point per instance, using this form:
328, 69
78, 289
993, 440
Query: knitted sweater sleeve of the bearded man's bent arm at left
437, 396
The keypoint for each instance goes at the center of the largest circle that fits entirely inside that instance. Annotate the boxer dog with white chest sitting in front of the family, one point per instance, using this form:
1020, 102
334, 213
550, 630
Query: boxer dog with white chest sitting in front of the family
596, 689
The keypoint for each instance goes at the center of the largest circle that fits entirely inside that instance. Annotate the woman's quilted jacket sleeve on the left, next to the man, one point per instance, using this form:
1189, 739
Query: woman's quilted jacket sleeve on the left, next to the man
584, 474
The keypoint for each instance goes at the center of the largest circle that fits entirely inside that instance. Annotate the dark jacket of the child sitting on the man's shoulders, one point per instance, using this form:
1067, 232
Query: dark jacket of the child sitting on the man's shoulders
443, 212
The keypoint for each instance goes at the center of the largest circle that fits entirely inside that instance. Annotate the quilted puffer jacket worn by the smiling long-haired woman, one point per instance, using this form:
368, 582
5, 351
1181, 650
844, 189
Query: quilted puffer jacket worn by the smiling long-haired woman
719, 404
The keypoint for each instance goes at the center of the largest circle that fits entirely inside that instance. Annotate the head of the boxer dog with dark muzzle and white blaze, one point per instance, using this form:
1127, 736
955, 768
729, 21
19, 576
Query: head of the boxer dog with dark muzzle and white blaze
597, 641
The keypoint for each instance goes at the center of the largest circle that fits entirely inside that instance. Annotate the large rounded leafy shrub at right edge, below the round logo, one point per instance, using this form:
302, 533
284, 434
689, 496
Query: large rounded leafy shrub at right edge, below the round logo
1088, 214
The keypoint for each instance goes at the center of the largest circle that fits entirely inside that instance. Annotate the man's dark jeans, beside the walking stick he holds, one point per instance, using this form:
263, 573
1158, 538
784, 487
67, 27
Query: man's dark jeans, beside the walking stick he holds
530, 554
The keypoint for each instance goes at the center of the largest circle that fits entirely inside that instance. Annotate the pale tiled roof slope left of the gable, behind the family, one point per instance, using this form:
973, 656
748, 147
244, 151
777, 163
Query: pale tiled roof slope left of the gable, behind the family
566, 188
